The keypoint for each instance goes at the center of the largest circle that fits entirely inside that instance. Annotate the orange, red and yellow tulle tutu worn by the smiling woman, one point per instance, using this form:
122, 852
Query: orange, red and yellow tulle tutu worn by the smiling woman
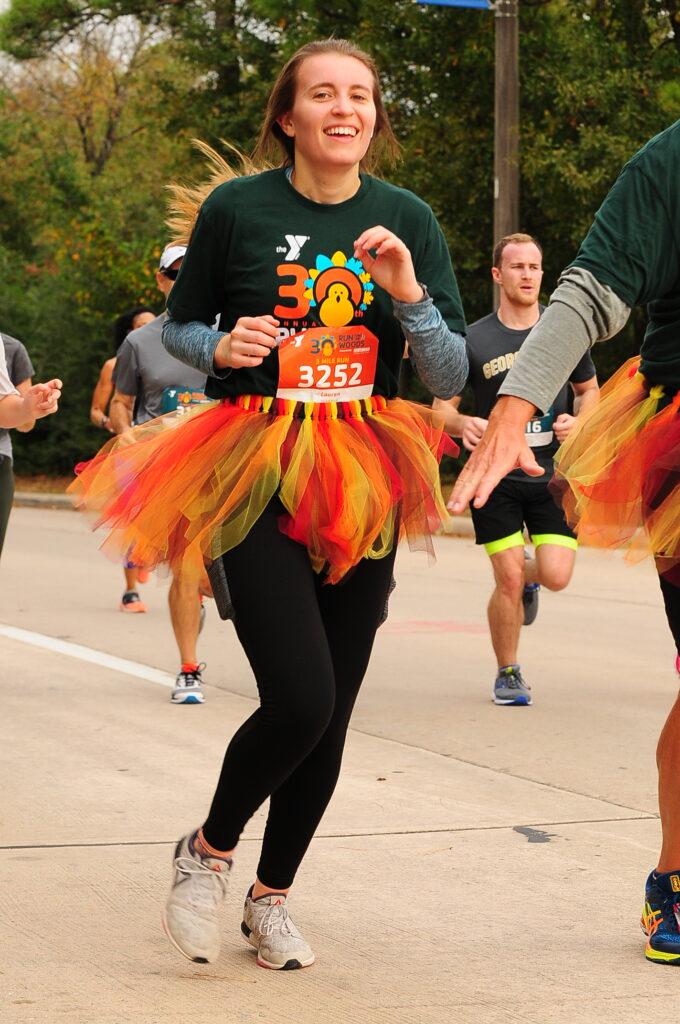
354, 479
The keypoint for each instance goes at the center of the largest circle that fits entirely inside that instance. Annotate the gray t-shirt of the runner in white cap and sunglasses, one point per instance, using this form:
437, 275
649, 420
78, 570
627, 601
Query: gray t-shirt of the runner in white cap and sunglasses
144, 370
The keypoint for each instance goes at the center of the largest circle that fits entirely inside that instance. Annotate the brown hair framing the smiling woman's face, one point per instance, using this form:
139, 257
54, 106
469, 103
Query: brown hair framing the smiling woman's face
273, 139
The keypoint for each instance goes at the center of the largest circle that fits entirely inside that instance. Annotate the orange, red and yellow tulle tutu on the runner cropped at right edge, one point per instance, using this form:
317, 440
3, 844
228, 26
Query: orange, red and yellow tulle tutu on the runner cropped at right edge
618, 477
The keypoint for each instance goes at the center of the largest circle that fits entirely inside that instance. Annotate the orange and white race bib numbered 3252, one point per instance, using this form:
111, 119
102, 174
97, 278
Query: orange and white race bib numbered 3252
328, 365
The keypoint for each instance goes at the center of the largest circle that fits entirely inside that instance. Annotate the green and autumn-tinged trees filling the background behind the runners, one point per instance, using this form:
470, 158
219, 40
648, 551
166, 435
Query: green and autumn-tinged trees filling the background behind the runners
101, 101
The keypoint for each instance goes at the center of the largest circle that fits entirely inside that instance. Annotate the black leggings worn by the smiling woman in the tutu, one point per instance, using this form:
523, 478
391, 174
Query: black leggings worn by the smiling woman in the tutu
309, 646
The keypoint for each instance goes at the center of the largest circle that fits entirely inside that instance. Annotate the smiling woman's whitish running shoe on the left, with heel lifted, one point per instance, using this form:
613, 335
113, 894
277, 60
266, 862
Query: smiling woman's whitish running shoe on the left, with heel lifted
191, 916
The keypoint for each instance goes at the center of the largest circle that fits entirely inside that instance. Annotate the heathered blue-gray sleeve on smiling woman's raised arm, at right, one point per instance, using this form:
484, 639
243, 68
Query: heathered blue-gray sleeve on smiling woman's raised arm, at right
439, 354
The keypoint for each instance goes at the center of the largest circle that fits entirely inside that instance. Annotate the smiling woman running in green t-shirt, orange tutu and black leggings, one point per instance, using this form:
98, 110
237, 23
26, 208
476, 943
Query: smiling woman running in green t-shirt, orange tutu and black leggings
308, 472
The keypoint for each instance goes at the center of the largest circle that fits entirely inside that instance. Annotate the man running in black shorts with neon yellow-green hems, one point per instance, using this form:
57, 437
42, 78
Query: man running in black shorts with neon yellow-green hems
520, 501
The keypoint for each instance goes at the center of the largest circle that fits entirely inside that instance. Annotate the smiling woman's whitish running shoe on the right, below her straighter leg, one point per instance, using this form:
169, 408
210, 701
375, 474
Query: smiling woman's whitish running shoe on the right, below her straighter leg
267, 925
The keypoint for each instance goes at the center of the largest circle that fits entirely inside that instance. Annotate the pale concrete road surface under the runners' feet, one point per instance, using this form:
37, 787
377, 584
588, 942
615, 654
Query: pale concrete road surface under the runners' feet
478, 864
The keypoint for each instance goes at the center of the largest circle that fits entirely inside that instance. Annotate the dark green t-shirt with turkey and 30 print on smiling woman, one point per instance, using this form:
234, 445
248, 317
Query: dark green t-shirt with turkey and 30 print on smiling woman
260, 247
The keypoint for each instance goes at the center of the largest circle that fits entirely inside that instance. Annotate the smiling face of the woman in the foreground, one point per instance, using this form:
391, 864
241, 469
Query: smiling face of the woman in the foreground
334, 114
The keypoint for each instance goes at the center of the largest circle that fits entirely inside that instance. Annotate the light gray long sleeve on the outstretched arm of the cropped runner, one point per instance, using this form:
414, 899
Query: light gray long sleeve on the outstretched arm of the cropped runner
582, 311
